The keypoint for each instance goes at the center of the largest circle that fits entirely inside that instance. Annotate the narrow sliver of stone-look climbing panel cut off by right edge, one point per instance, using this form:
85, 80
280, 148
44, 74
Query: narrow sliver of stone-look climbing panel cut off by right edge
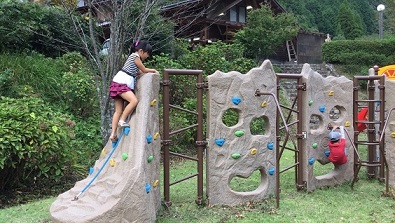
390, 131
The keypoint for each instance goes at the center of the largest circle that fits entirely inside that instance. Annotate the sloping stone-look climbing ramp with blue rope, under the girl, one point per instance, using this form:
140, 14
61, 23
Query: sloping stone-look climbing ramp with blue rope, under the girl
123, 185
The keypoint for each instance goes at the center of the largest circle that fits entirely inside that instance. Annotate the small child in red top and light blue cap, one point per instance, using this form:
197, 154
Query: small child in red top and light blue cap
337, 145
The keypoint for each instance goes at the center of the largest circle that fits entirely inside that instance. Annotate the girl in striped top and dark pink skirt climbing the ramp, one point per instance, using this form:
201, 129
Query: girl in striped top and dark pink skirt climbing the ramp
124, 82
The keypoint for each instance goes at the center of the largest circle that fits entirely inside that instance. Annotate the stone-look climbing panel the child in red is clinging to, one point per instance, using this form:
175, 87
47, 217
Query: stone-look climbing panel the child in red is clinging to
329, 100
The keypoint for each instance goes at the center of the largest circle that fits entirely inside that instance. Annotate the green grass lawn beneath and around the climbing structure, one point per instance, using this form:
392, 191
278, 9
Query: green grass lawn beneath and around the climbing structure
338, 204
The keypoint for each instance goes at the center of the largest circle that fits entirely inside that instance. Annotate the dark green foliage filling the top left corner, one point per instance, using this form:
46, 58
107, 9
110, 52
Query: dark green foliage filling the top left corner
30, 26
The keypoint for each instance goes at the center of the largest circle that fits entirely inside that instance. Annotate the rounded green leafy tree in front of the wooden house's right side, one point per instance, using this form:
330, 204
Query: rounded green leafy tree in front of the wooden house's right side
264, 31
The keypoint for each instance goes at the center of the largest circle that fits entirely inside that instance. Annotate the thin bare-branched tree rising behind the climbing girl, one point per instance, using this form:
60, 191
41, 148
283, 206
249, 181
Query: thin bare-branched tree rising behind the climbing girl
131, 20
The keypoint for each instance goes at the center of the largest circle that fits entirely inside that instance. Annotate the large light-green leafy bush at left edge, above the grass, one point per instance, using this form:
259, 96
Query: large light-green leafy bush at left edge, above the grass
34, 142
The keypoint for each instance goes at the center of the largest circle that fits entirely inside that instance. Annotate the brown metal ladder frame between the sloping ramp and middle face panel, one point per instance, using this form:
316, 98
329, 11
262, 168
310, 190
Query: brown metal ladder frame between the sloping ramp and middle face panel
200, 143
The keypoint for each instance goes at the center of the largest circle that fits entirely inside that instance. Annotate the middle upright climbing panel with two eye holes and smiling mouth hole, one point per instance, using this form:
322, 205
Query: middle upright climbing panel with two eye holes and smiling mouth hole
233, 151
